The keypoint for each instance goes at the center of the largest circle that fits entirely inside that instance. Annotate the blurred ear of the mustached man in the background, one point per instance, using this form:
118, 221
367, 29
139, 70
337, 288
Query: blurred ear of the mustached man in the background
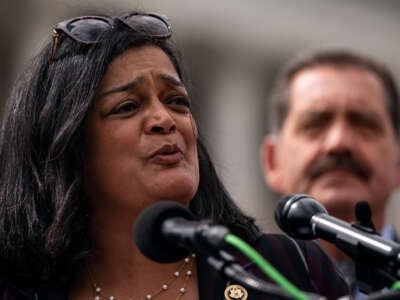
269, 161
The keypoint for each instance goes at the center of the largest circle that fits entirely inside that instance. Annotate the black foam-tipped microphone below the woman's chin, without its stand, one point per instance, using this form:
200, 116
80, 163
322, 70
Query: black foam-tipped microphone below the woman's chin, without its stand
167, 232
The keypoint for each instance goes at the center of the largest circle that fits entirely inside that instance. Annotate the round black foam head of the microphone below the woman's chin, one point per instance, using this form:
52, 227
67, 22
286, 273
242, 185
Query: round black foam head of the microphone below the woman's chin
148, 236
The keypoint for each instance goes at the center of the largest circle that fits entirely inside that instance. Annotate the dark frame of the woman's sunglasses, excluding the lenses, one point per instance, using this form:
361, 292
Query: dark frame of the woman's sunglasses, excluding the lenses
63, 27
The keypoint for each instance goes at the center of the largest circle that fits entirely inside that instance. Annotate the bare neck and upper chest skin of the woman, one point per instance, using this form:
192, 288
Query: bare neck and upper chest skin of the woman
119, 269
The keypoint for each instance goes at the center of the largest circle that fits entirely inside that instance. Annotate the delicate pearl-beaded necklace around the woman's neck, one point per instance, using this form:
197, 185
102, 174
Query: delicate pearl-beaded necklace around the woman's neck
184, 268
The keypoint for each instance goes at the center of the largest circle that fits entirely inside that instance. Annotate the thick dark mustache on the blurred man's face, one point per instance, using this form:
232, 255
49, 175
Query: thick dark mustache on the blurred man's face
339, 161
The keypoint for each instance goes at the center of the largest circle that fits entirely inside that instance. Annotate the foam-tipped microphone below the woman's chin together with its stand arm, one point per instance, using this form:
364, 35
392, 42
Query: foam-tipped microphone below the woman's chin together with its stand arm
167, 232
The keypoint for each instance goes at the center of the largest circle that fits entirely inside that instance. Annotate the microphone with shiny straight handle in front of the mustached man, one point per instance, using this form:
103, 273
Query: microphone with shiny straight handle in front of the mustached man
303, 217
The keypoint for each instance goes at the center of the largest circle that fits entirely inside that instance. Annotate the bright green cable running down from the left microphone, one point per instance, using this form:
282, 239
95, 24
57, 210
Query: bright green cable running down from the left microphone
265, 266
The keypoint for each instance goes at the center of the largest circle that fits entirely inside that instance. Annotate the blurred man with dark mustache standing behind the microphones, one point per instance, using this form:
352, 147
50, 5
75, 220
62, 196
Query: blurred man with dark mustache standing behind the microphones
334, 121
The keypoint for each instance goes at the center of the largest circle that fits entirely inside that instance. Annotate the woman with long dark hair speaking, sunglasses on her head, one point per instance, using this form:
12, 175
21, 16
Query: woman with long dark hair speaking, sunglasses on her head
97, 128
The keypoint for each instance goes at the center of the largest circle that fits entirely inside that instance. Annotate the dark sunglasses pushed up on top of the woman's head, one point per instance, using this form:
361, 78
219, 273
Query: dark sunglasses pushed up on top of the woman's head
89, 29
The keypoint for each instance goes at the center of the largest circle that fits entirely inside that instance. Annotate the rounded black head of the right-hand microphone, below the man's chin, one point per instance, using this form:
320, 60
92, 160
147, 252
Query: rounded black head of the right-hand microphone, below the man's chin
294, 212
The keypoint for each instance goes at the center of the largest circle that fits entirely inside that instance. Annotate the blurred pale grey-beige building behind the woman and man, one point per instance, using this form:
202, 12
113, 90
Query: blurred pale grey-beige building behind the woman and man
232, 49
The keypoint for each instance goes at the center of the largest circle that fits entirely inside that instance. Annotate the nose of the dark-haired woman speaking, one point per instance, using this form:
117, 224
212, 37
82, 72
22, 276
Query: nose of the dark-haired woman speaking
159, 120
